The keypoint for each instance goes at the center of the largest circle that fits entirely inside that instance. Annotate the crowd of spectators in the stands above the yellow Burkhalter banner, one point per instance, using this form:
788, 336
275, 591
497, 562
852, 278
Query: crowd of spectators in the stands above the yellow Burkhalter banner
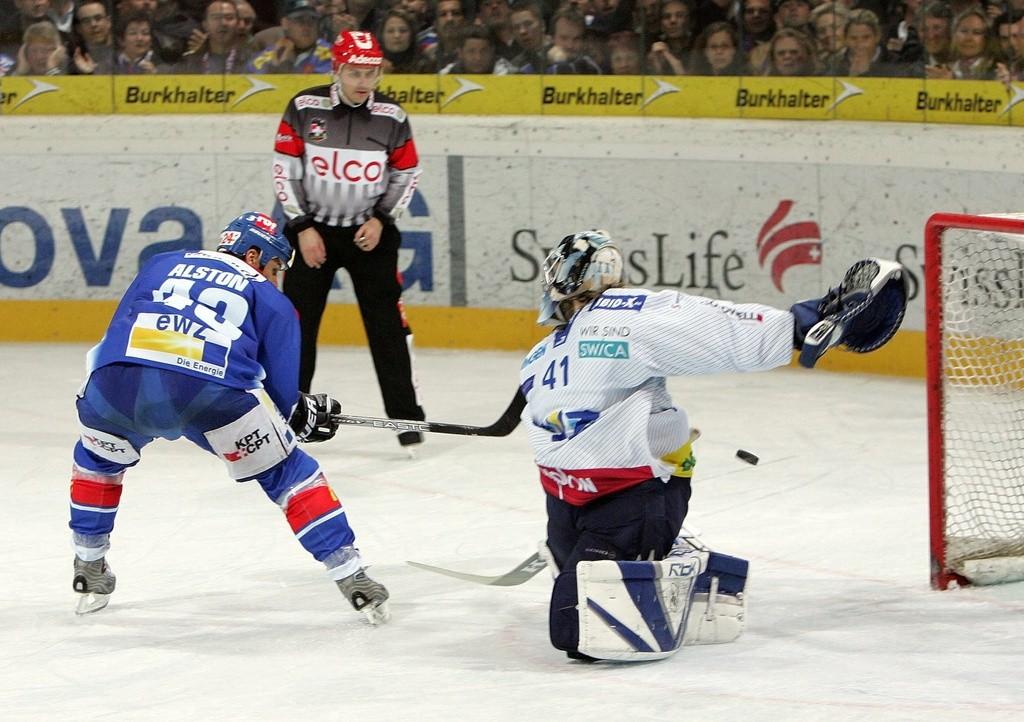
948, 39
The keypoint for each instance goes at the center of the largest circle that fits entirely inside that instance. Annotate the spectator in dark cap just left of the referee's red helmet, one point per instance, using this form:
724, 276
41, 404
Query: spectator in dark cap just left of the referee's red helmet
302, 51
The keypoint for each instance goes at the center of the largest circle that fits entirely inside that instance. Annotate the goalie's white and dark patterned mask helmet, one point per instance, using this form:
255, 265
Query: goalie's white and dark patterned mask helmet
583, 265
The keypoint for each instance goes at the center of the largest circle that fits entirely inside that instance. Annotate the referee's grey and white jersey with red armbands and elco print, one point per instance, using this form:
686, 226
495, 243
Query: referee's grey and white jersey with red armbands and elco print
337, 164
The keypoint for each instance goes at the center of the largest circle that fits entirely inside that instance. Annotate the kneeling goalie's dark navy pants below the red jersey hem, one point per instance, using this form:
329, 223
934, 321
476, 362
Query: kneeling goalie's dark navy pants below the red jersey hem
641, 523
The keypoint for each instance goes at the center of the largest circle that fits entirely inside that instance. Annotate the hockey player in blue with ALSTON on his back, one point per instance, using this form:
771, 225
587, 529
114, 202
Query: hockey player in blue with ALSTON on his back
204, 346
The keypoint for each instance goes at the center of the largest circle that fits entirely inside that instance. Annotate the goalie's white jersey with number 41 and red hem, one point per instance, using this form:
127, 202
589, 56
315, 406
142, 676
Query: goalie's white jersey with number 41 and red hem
599, 414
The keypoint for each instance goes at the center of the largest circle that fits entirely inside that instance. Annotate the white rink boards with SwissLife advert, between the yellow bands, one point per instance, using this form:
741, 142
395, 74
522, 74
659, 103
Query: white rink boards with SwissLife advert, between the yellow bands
771, 211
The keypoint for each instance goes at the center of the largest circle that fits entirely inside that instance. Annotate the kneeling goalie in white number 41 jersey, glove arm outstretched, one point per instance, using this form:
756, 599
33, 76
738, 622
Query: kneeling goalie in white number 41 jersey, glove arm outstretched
613, 449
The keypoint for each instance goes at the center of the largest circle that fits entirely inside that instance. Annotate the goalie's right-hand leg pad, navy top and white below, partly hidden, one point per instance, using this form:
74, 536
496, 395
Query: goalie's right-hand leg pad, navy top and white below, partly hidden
718, 613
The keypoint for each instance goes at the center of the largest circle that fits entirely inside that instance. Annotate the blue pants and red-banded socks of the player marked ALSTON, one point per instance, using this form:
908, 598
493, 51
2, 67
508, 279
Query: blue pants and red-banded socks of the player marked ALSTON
125, 407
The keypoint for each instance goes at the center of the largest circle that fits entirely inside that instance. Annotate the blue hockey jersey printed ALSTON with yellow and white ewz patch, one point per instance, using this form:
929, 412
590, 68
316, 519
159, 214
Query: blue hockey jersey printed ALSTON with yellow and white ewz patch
211, 316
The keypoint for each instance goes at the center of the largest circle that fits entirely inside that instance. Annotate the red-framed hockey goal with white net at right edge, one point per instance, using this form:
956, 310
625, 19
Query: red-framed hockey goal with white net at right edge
974, 305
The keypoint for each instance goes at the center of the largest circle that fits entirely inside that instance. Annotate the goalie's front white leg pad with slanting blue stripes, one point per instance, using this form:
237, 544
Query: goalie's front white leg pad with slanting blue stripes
635, 611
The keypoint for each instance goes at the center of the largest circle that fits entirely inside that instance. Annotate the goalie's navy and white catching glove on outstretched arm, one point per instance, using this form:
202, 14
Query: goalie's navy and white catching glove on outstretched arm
862, 314
